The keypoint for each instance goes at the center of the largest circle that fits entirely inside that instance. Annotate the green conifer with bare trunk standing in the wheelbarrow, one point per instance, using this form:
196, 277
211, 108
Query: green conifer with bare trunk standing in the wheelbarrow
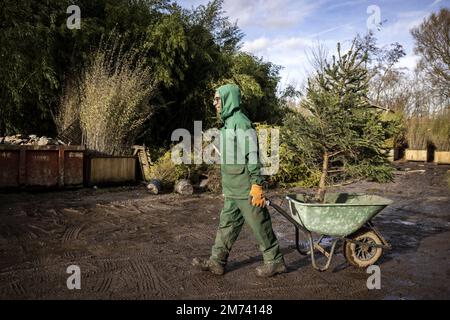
337, 130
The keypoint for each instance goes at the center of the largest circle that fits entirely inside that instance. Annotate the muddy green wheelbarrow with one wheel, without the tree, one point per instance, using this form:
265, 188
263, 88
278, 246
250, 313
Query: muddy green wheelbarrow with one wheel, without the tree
344, 218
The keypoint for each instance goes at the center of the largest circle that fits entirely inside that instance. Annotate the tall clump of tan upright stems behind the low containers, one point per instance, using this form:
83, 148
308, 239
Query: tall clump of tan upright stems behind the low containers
114, 98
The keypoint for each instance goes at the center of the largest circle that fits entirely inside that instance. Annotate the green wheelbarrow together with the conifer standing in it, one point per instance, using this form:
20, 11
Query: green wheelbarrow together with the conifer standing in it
340, 134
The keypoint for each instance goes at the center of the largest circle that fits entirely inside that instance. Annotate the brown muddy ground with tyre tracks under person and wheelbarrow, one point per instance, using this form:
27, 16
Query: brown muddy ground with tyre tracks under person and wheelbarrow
132, 245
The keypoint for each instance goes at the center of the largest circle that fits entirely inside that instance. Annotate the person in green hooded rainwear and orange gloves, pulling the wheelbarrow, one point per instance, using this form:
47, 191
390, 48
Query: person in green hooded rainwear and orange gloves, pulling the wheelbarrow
242, 189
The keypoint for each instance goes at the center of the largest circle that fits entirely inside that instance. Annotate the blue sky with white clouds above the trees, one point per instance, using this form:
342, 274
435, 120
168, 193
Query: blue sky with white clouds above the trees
285, 31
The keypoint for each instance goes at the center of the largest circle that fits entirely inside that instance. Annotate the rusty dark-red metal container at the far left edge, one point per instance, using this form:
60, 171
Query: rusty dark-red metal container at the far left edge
41, 166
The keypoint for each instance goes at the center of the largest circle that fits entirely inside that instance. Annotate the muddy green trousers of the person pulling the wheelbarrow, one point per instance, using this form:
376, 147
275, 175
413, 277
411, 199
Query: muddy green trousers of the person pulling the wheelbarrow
232, 218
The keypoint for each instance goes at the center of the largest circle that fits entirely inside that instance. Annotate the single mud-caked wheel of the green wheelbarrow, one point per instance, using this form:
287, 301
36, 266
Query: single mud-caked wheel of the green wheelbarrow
363, 256
